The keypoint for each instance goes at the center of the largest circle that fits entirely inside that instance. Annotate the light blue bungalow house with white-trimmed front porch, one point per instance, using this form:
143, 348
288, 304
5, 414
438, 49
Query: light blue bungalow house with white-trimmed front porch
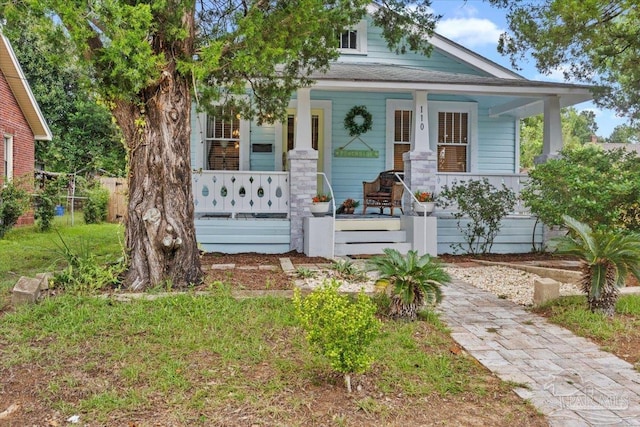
441, 119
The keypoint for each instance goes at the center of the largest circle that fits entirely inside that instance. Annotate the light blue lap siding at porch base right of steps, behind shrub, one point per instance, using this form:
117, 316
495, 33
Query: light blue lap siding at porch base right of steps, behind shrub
515, 235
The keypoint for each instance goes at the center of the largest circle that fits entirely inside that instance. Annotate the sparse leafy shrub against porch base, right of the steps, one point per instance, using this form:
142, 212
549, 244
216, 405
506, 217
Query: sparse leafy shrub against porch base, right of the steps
484, 205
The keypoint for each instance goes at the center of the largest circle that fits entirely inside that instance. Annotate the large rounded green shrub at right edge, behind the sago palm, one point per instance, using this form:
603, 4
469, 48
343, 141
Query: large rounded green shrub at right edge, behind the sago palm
597, 187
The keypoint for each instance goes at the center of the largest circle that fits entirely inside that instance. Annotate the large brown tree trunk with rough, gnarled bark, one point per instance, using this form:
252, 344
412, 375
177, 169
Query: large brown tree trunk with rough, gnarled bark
160, 231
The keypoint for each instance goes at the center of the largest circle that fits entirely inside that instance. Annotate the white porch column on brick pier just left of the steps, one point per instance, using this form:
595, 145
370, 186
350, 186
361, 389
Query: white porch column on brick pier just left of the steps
302, 163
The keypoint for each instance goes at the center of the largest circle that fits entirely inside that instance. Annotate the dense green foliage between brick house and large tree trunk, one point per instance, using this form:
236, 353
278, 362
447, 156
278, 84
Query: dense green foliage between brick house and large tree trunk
84, 135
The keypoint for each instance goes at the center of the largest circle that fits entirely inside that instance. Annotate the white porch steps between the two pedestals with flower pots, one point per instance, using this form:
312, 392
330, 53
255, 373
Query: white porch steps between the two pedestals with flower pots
369, 236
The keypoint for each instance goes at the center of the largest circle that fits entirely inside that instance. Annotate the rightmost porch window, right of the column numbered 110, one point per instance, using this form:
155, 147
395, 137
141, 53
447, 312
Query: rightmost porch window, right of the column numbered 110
453, 141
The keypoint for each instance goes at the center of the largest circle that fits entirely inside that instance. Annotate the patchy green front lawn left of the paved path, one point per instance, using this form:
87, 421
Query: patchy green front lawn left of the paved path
214, 360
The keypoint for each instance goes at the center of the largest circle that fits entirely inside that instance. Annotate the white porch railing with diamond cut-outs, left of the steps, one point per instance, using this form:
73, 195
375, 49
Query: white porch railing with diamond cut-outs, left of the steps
240, 192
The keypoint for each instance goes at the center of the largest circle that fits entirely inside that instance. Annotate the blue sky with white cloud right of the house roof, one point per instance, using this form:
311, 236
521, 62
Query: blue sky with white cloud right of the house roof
477, 26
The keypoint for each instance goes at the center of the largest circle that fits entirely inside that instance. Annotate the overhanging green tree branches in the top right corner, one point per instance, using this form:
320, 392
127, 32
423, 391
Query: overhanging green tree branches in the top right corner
594, 41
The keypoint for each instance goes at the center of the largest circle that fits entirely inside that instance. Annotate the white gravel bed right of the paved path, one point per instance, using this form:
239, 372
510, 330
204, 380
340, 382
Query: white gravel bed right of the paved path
508, 283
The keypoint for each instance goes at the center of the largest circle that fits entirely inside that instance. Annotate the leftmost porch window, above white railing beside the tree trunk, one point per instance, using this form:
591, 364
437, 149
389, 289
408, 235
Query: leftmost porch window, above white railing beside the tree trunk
222, 141
